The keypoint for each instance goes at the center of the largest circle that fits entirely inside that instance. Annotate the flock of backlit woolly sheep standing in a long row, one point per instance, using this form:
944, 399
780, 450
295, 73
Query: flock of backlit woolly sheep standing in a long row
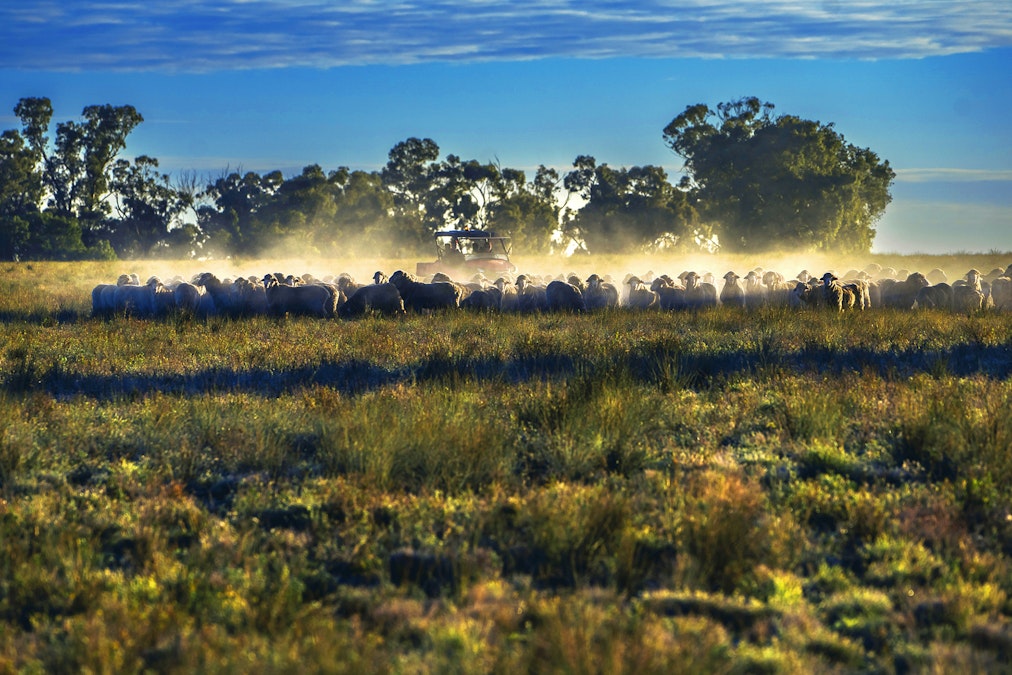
342, 296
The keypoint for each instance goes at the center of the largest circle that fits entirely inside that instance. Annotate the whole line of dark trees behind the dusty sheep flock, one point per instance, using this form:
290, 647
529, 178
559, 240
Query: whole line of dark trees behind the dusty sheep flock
752, 182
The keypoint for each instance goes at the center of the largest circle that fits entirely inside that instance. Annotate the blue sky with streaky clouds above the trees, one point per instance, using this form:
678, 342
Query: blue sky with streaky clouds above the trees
260, 86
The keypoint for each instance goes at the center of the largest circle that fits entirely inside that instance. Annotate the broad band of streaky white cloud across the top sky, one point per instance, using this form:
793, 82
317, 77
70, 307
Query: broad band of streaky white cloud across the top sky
215, 35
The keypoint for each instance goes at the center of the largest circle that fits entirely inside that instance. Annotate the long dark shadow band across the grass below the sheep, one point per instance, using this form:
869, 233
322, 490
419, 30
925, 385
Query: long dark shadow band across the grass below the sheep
658, 367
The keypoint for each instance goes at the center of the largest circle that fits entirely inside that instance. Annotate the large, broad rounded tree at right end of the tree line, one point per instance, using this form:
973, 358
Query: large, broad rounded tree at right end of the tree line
779, 183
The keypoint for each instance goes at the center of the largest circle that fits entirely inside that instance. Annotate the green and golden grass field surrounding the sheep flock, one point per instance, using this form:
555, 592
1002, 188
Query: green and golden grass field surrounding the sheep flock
625, 492
